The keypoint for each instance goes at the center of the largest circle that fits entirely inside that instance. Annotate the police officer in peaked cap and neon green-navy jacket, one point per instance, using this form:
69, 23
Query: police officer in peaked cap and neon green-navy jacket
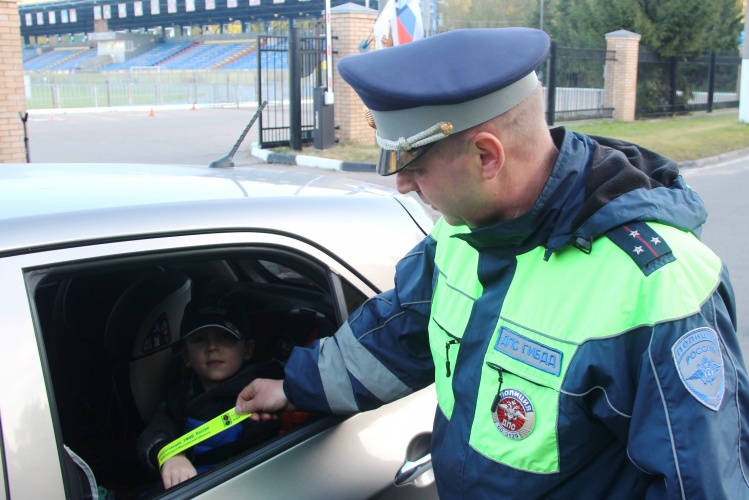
582, 340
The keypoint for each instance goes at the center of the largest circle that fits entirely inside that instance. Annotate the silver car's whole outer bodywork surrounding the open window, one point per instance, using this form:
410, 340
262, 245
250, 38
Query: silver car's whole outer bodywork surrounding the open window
52, 222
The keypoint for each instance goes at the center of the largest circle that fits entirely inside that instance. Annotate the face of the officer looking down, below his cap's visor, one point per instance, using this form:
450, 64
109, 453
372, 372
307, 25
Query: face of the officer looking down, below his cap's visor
447, 179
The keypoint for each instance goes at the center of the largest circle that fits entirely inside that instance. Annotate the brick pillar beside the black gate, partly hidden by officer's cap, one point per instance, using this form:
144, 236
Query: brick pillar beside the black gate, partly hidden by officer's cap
350, 24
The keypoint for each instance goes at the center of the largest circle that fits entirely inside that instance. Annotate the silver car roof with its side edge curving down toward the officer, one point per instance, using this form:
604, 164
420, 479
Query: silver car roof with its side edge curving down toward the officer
58, 205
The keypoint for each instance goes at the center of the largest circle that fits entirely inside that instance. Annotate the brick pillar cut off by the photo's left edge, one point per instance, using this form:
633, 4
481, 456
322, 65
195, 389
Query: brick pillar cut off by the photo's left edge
12, 90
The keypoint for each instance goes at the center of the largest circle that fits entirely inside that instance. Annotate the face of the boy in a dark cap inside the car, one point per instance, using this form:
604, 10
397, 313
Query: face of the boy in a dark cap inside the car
215, 355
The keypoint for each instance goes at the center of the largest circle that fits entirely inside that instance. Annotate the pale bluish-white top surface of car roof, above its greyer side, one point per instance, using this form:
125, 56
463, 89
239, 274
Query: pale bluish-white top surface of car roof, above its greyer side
36, 189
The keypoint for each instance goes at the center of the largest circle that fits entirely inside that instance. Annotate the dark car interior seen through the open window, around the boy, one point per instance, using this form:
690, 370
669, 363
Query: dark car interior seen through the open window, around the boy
110, 337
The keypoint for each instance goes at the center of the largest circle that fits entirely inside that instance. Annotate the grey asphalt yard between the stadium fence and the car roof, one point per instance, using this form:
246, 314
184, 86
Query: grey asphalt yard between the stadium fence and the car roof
195, 137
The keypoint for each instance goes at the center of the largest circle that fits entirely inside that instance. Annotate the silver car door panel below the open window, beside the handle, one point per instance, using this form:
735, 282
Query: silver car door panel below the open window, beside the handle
379, 436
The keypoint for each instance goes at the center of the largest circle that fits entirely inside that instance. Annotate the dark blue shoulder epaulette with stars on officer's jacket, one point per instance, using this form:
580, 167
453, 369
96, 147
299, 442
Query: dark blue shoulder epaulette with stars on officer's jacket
646, 247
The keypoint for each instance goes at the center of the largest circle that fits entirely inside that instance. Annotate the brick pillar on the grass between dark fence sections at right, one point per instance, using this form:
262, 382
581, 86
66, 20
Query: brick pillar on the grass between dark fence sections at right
621, 74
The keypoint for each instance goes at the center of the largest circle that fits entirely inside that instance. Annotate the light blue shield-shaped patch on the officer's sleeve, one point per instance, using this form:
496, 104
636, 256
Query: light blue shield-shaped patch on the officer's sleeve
699, 362
